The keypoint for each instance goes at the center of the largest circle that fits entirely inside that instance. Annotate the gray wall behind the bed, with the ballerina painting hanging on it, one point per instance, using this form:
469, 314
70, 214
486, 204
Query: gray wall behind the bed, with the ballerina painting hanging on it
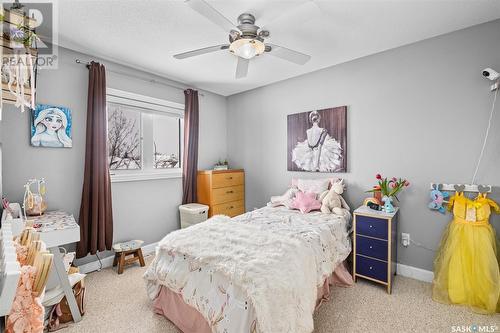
418, 111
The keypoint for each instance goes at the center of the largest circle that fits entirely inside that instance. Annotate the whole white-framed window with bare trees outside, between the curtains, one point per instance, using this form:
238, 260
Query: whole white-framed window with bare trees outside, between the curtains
144, 137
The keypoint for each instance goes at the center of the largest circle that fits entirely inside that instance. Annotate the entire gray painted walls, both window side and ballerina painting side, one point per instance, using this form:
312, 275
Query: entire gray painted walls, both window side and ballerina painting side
419, 111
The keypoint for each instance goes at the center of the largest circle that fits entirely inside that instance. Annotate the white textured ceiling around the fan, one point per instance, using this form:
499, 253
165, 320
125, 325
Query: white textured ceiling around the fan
147, 33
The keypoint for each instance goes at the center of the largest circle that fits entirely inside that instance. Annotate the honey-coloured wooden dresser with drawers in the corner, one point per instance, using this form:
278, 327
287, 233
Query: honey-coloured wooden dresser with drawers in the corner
223, 191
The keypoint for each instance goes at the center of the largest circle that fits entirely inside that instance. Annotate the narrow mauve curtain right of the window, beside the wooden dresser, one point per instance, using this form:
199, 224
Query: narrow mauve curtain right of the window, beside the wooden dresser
190, 158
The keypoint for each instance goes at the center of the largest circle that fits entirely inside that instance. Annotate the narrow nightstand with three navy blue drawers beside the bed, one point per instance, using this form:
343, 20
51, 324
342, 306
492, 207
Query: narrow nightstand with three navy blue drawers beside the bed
375, 244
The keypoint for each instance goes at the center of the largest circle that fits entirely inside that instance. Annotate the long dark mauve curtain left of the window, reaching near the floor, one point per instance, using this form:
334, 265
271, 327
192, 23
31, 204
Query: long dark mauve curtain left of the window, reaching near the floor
96, 216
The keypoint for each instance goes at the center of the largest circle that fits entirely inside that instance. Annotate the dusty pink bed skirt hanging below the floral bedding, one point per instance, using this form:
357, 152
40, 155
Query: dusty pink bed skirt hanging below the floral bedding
171, 305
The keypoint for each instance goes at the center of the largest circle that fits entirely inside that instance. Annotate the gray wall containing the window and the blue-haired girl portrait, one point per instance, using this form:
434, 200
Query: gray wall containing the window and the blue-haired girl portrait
142, 210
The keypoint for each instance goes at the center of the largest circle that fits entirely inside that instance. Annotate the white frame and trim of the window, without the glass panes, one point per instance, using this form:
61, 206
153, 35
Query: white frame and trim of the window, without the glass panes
146, 105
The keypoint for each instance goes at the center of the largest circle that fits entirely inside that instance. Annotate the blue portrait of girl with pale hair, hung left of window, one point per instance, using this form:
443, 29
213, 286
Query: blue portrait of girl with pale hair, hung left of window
51, 126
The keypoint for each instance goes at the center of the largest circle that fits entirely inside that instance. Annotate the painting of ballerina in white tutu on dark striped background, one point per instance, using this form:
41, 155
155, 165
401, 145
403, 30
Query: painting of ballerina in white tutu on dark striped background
317, 140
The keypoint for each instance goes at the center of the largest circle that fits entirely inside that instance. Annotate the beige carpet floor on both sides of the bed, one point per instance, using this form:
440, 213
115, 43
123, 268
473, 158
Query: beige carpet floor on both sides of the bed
118, 303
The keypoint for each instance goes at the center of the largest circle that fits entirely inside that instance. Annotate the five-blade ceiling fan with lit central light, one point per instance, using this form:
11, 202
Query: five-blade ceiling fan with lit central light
246, 40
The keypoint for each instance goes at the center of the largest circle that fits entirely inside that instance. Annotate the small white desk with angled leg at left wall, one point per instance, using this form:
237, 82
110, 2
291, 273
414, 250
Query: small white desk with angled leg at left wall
56, 229
